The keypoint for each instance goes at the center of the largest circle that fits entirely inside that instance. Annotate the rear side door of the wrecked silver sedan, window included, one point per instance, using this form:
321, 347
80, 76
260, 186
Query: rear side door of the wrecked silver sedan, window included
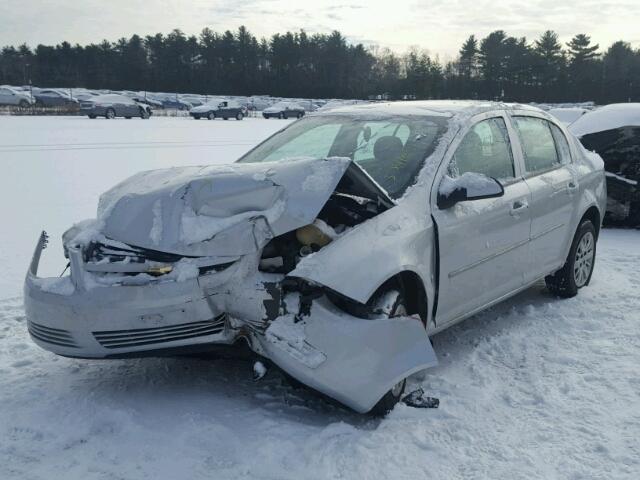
554, 186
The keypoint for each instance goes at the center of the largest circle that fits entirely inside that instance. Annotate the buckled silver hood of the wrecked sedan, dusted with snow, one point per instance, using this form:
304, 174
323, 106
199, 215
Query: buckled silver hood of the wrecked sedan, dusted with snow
222, 210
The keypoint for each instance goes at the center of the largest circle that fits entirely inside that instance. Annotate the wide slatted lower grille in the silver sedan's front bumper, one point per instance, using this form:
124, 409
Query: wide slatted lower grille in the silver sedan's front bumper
148, 336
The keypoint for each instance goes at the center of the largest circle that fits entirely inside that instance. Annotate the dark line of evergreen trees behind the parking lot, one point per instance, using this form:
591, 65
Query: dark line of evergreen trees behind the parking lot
297, 64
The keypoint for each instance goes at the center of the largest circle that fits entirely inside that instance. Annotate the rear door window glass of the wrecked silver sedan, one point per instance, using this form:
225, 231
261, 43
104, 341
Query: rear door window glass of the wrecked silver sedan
538, 145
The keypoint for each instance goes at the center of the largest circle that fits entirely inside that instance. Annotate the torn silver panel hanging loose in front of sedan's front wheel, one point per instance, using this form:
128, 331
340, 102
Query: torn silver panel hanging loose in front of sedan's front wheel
352, 360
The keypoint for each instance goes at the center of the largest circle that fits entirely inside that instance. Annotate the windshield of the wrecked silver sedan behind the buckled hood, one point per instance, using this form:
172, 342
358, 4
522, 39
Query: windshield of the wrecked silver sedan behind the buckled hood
390, 149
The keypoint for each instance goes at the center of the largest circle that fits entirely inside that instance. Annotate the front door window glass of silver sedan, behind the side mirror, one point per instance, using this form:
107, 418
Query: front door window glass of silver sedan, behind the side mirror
485, 149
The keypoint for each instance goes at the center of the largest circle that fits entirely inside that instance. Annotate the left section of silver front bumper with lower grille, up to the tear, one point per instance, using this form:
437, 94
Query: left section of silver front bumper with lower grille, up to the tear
69, 318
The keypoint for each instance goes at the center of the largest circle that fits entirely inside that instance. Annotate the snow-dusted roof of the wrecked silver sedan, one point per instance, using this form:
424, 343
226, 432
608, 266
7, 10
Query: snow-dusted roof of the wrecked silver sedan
447, 108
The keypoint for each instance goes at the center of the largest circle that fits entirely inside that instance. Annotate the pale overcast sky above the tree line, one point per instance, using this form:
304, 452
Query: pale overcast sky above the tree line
437, 25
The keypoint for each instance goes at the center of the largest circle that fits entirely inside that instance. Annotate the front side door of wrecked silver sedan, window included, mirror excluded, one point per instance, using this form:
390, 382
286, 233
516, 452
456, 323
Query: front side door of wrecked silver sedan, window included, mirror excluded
483, 244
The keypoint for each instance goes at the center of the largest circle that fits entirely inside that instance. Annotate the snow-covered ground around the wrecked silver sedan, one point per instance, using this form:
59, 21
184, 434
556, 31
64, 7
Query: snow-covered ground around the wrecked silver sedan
535, 388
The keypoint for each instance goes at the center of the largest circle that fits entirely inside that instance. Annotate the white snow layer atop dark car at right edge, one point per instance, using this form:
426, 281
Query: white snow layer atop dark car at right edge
609, 117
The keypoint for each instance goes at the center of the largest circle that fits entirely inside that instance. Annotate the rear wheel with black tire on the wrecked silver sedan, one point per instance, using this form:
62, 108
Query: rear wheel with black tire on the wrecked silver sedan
577, 270
